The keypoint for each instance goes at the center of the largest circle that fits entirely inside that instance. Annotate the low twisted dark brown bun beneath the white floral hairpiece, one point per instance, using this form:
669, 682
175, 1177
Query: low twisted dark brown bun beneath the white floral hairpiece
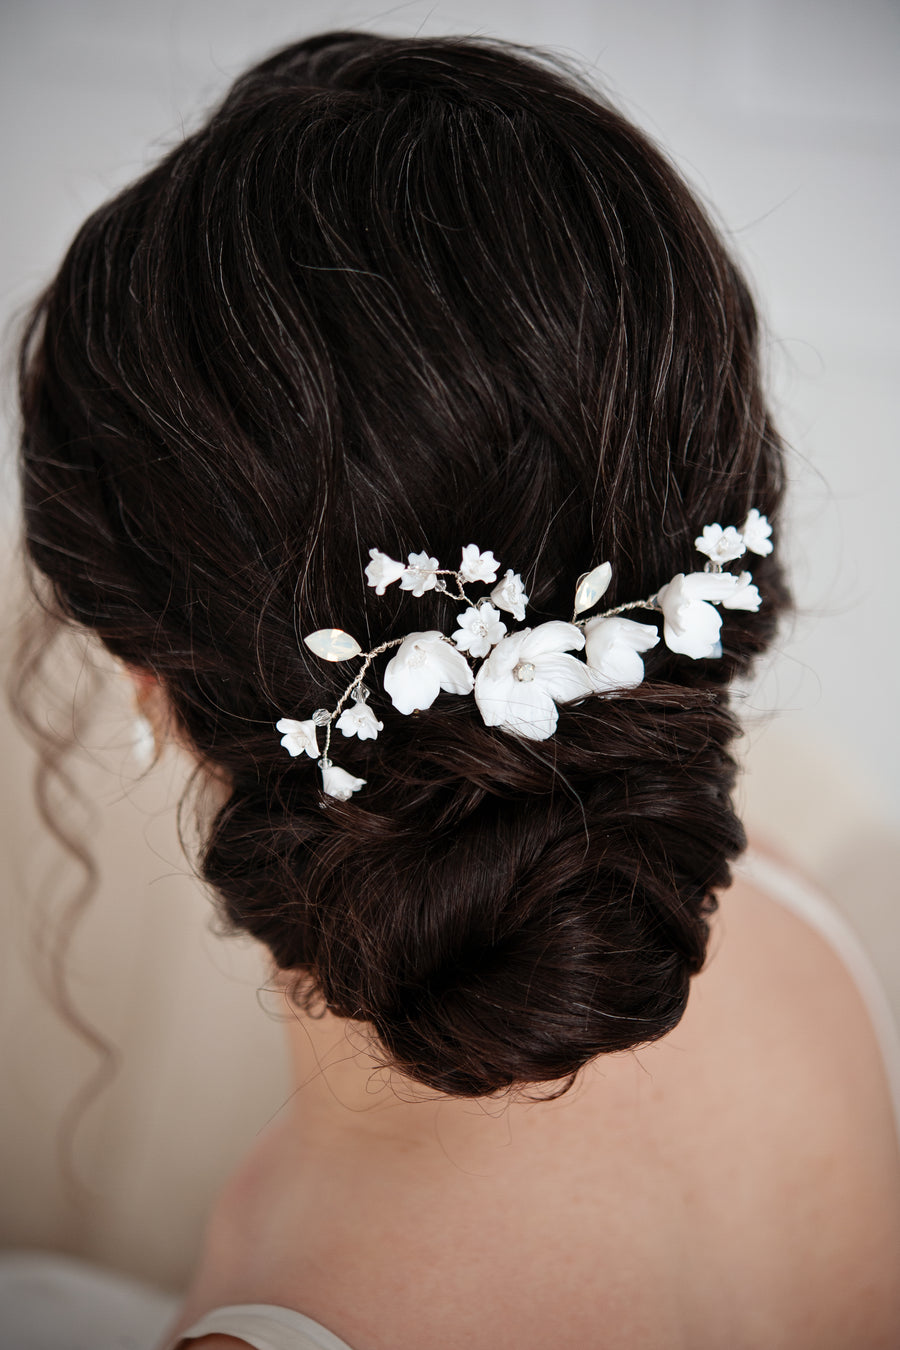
499, 912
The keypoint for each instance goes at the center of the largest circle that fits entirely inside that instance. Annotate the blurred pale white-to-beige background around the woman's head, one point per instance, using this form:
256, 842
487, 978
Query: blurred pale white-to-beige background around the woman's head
786, 115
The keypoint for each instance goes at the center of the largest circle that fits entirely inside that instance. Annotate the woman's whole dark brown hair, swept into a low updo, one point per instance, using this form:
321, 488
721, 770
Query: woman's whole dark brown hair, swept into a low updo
415, 295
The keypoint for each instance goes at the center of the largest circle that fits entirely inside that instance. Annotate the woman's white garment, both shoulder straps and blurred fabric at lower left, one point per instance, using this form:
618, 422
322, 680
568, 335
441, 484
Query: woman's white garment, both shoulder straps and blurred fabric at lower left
51, 1303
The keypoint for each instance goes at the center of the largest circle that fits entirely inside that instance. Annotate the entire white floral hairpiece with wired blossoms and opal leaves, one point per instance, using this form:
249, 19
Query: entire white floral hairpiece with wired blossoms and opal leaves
523, 676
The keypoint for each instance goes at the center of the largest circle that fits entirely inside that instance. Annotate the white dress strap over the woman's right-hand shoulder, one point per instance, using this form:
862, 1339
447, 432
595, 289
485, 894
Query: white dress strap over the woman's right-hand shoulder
804, 900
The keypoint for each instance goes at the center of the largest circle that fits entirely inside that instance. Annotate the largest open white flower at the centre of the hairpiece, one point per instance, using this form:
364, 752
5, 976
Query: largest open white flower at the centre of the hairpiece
528, 674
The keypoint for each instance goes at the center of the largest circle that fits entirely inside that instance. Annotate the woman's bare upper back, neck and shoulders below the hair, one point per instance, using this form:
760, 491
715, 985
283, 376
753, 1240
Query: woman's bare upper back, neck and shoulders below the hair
736, 1185
